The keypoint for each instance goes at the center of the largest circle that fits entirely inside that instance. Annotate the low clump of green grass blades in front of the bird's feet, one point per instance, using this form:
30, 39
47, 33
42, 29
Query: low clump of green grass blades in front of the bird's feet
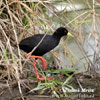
56, 84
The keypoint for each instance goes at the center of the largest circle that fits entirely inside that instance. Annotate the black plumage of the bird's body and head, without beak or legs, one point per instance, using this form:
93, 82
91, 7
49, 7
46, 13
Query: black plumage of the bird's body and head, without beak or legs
49, 42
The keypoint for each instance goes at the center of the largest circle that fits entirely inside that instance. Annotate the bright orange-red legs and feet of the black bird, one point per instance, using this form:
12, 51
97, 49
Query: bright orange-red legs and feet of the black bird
45, 66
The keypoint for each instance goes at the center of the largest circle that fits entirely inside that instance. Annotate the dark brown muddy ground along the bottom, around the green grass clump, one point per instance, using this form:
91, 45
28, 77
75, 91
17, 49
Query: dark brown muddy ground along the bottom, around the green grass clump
84, 80
